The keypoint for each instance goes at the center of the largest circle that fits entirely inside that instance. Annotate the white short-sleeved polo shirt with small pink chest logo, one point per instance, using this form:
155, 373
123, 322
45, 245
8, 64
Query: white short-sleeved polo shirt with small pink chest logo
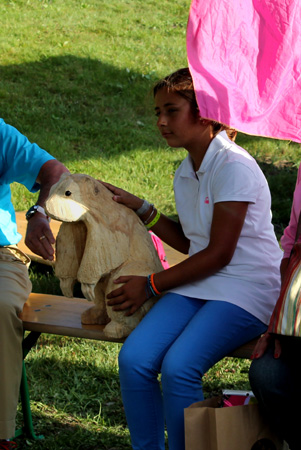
228, 173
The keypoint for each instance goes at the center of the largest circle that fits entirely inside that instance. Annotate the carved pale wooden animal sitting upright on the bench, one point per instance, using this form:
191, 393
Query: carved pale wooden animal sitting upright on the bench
98, 241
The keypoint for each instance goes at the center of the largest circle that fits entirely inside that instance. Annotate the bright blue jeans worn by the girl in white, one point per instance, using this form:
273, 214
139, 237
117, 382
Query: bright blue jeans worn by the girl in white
182, 338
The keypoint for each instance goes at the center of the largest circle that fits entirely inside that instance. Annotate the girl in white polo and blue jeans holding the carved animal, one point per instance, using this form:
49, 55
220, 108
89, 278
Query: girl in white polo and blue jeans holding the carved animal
216, 300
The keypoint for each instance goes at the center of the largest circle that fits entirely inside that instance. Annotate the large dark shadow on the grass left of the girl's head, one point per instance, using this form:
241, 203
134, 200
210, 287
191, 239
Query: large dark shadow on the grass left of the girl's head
78, 107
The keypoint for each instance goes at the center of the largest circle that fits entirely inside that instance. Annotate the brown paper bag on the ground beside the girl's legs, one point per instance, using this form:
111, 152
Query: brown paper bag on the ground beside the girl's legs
209, 427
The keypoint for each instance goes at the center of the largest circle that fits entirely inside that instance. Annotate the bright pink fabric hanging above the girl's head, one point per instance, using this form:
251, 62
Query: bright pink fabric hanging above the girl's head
245, 60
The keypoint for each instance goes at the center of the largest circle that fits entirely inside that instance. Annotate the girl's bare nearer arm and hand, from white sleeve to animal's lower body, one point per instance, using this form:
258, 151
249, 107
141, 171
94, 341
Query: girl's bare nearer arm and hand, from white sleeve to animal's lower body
227, 223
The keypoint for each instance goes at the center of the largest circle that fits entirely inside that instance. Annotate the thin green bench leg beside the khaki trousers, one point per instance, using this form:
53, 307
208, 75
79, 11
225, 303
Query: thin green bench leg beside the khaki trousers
27, 429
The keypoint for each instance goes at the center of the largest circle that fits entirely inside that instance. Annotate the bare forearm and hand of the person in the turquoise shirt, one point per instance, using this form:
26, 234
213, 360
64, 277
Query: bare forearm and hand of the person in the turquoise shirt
39, 237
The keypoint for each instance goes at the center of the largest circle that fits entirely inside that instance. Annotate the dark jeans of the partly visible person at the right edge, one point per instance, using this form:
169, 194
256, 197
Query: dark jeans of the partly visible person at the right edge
277, 385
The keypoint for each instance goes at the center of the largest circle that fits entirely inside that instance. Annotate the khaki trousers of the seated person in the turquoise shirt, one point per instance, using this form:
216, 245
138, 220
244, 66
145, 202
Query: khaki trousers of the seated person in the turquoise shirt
15, 288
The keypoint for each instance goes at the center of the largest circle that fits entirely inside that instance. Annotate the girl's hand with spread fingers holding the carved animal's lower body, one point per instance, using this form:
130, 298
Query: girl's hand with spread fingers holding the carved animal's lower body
130, 296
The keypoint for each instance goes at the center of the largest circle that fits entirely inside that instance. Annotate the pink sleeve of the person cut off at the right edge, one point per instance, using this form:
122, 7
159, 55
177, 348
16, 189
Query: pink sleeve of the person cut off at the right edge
288, 238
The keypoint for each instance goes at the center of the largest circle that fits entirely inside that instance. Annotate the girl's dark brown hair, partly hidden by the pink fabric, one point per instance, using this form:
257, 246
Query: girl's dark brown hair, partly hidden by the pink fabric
181, 82
